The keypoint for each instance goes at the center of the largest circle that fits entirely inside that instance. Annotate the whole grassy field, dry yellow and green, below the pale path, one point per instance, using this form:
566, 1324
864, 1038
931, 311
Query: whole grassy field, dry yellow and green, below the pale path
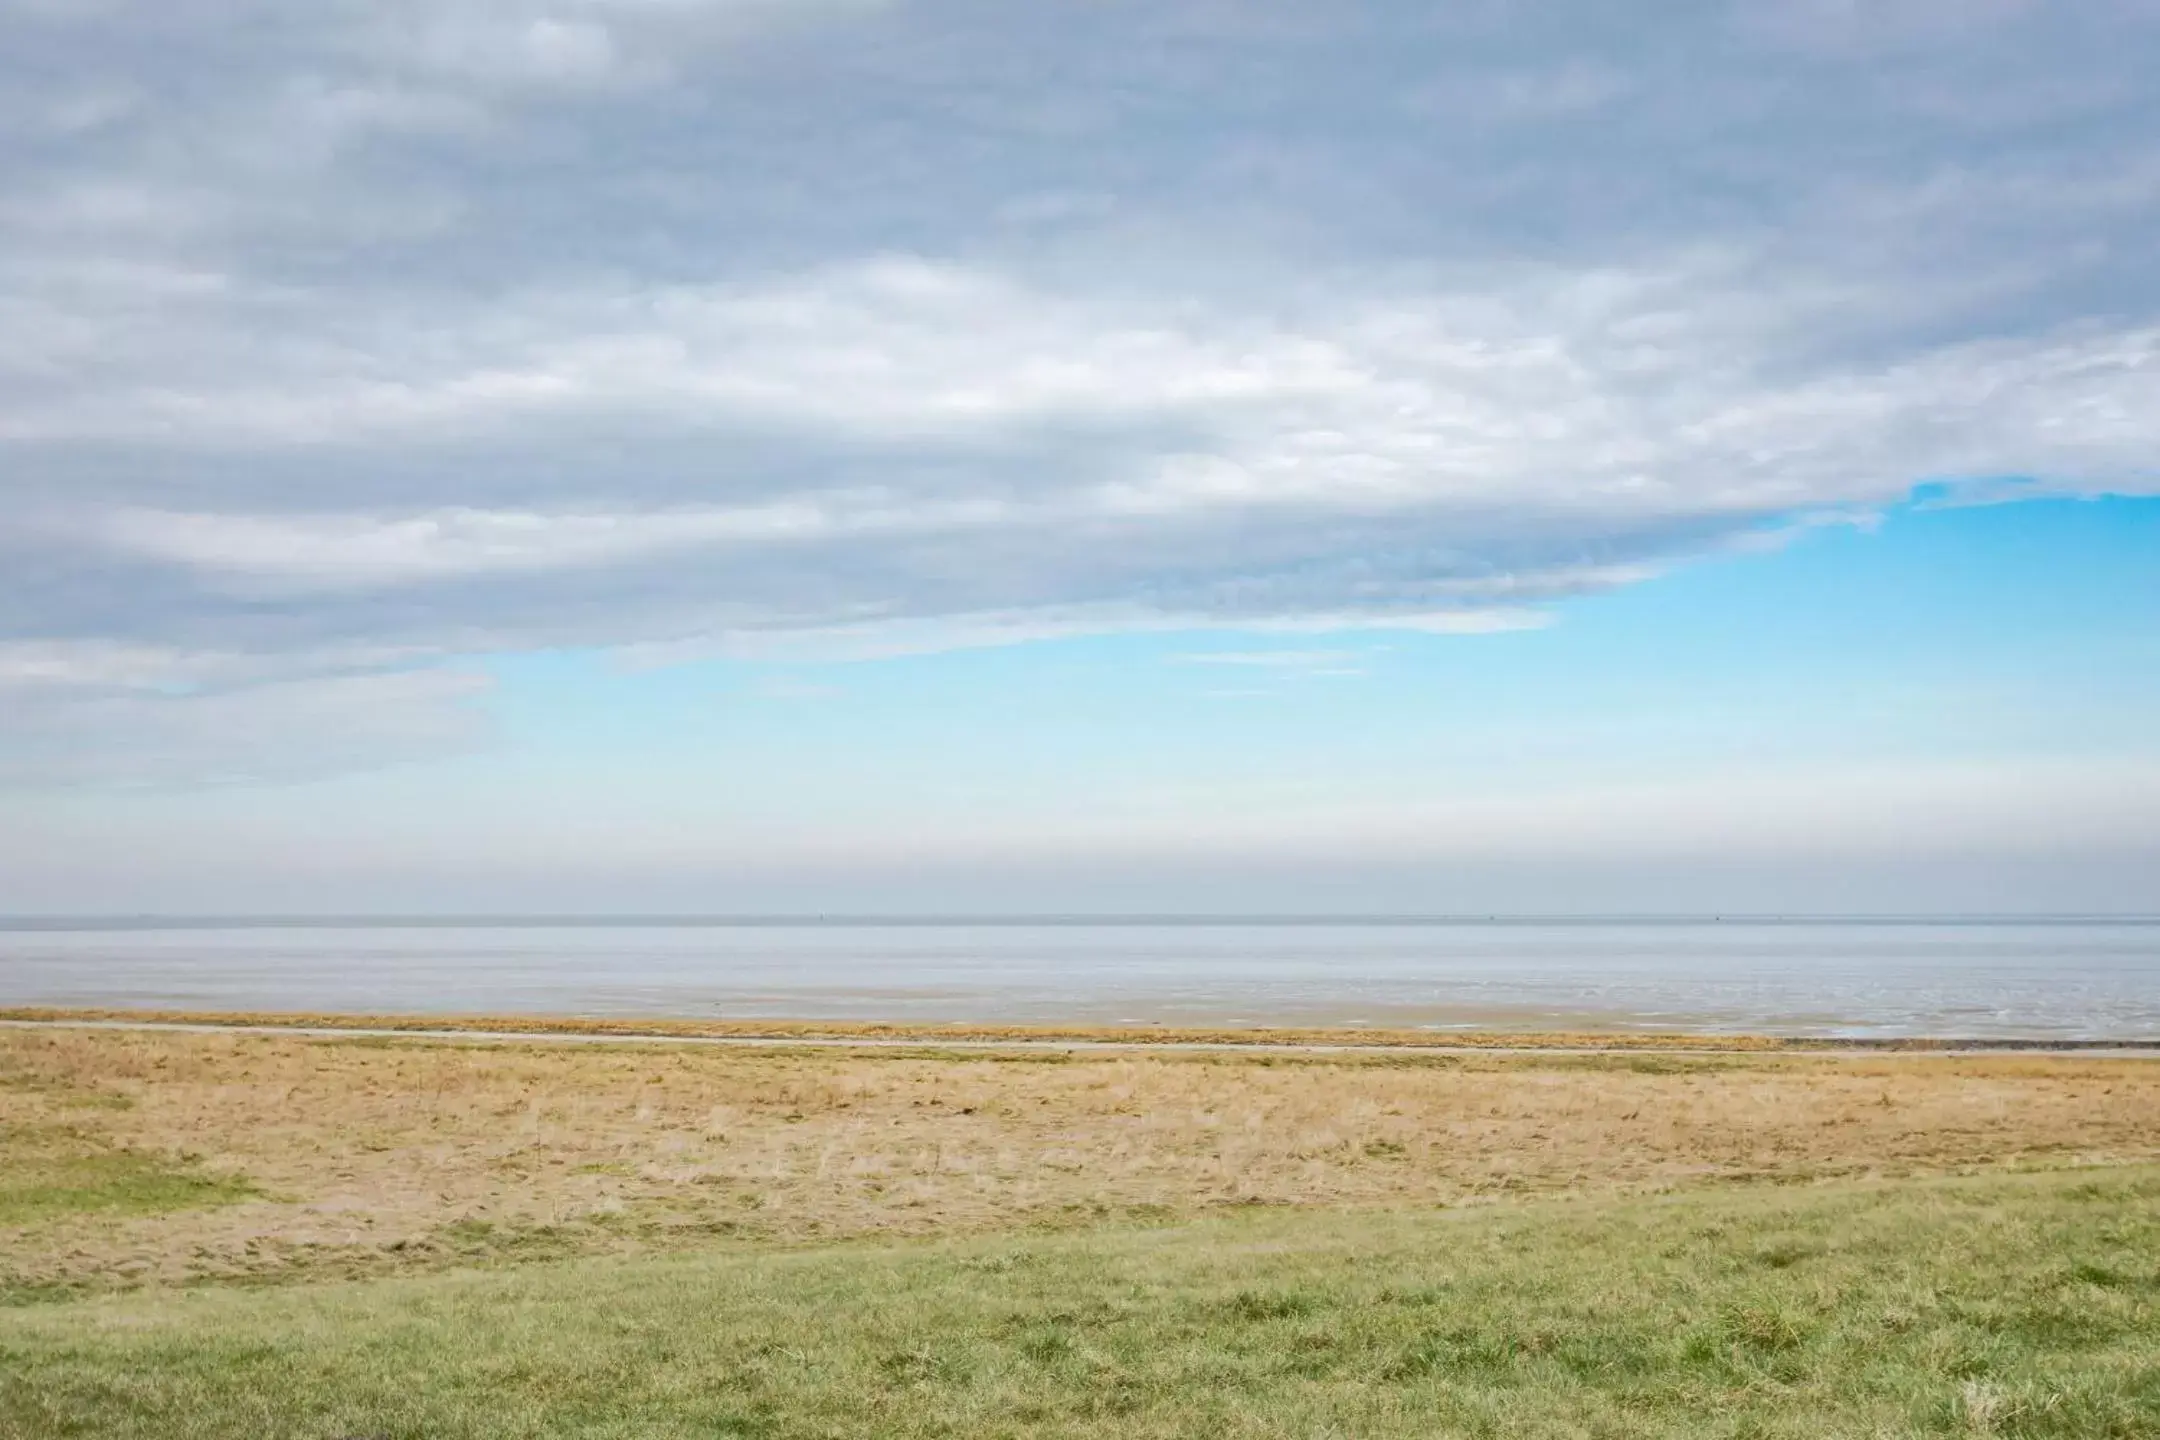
284, 1236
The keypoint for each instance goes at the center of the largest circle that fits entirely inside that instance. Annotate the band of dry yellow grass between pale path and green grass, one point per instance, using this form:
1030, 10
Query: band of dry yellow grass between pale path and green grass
379, 1154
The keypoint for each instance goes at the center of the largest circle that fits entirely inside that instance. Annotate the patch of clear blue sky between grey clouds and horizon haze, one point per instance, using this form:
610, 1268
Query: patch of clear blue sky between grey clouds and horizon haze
2021, 629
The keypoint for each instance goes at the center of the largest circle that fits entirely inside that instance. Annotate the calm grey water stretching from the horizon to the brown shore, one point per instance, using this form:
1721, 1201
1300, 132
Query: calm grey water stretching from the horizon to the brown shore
2092, 979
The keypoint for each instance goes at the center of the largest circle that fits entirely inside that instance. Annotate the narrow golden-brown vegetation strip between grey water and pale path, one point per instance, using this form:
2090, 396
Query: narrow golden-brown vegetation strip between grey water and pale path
964, 1033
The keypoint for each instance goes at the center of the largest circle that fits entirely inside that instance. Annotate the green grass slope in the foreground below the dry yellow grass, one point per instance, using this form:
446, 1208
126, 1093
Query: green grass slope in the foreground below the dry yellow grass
2010, 1307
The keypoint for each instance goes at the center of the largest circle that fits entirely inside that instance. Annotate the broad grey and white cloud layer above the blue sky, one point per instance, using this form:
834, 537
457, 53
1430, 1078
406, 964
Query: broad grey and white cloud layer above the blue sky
353, 338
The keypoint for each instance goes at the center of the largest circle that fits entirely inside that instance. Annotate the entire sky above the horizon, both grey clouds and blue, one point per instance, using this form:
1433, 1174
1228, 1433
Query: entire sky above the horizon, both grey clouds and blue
1185, 457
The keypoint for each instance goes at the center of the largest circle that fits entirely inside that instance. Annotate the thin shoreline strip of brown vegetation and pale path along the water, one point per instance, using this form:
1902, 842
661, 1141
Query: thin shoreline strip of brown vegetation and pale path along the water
960, 1035
